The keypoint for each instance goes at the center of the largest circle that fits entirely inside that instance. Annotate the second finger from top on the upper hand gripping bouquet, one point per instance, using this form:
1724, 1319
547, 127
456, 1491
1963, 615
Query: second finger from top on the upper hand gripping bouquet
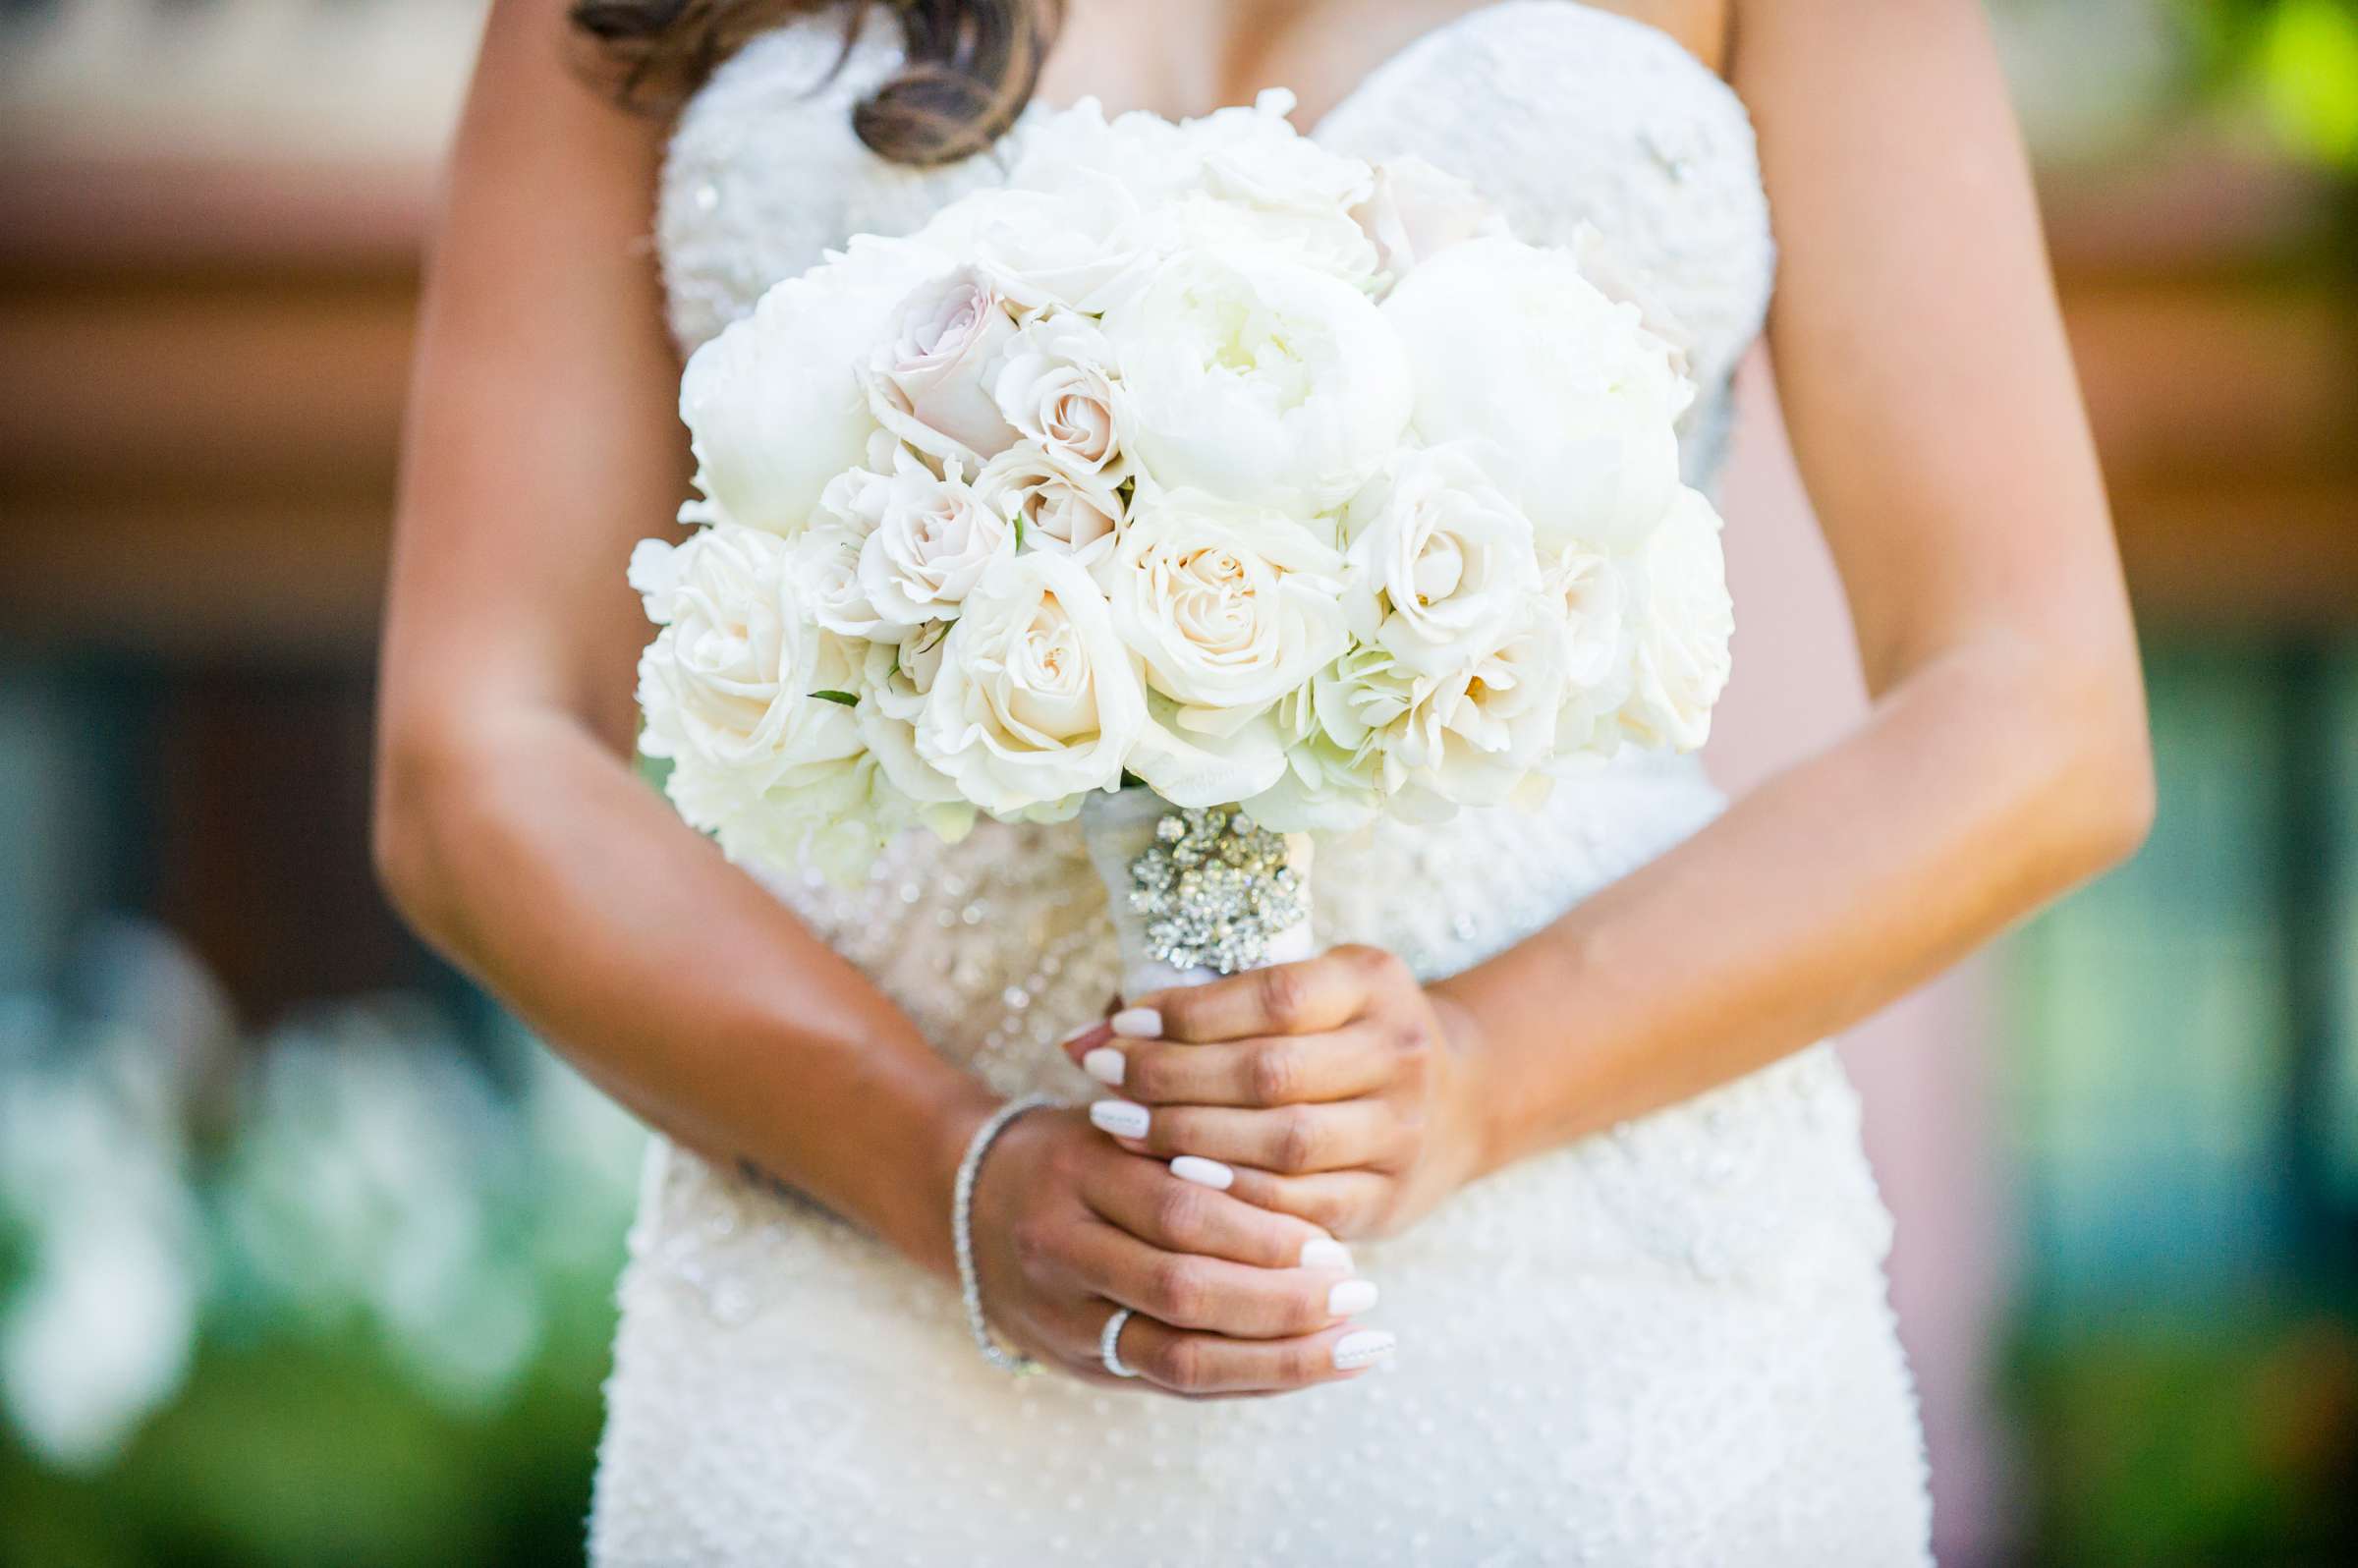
1270, 1072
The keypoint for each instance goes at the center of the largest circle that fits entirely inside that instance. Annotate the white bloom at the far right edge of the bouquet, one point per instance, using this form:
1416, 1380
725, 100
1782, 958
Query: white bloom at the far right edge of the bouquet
1685, 626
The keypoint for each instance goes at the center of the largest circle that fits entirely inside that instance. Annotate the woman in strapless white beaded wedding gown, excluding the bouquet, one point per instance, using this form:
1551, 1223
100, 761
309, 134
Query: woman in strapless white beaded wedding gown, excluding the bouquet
1532, 1220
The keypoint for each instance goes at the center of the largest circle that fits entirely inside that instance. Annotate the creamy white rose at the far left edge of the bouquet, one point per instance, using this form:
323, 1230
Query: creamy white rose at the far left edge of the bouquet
730, 683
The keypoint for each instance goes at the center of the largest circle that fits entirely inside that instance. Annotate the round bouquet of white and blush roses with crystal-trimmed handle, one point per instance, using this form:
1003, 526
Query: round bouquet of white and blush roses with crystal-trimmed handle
1282, 487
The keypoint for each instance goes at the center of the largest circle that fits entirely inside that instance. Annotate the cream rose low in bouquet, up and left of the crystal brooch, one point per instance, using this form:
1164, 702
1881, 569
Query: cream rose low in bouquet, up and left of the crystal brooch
1036, 699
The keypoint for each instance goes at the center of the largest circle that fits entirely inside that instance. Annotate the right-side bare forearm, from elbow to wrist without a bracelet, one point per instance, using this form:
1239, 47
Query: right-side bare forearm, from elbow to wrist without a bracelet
1980, 789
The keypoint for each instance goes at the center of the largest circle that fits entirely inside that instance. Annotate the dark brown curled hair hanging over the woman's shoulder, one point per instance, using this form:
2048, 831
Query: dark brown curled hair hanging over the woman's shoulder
968, 67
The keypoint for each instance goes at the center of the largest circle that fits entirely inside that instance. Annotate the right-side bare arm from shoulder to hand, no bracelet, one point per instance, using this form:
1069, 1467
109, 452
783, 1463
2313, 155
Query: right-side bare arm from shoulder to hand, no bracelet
1939, 428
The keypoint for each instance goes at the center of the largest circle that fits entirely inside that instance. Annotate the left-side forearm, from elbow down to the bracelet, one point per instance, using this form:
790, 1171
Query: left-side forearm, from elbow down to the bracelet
555, 876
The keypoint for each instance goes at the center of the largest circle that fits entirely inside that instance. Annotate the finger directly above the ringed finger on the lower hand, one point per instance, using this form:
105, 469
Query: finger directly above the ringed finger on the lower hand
1211, 1293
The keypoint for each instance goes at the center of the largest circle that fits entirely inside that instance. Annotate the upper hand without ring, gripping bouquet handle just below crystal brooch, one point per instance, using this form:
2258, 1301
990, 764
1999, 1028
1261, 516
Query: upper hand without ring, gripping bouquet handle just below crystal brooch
1336, 1088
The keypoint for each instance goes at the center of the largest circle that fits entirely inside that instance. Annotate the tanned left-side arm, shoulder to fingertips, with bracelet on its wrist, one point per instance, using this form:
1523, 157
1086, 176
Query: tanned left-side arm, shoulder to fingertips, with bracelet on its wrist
515, 836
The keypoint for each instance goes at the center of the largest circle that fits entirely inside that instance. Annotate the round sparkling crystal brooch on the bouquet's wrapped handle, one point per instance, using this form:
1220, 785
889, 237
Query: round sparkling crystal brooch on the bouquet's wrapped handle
1216, 888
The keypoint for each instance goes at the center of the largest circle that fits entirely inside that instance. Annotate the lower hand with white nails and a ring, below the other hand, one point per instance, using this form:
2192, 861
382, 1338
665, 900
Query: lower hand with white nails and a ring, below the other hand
1230, 1298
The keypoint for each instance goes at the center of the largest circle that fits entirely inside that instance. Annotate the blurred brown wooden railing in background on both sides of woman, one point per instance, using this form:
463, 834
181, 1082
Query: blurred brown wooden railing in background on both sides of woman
204, 376
